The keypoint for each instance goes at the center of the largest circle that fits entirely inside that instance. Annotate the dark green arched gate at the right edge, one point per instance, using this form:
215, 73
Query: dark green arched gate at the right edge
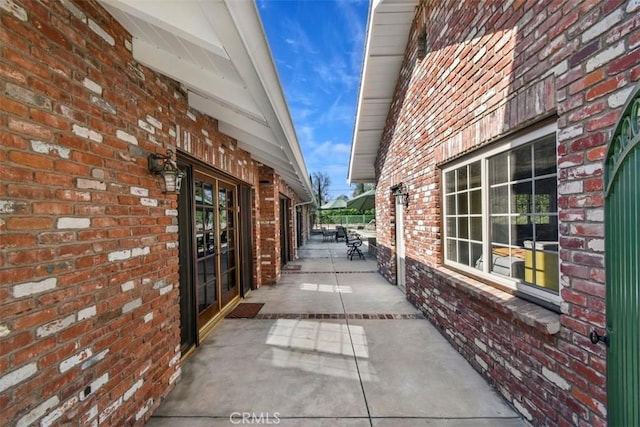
622, 218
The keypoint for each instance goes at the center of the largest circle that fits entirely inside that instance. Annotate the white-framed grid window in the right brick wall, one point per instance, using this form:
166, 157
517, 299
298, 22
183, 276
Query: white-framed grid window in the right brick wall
500, 214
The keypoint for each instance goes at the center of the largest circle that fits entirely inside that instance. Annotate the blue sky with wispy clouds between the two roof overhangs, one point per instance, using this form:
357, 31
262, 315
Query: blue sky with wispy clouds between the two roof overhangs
317, 46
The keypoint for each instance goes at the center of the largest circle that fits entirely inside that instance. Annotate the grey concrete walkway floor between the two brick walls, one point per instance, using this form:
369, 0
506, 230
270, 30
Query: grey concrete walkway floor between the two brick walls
292, 368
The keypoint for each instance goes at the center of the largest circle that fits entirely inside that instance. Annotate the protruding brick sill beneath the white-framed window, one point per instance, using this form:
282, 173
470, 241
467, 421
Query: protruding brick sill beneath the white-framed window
543, 320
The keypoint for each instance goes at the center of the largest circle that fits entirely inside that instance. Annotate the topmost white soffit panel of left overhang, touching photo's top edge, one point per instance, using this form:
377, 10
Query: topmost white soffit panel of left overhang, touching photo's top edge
181, 18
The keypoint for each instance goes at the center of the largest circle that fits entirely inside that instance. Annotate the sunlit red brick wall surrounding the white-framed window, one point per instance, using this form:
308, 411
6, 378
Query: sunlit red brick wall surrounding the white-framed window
491, 69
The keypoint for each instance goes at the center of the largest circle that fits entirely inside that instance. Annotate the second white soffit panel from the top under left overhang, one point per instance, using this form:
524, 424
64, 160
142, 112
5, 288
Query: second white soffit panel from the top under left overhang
191, 75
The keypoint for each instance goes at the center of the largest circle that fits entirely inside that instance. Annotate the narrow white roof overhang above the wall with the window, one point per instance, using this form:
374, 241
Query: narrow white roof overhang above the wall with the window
387, 34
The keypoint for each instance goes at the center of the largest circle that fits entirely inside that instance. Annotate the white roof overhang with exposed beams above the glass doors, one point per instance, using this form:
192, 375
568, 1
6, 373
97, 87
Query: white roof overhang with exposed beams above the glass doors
218, 51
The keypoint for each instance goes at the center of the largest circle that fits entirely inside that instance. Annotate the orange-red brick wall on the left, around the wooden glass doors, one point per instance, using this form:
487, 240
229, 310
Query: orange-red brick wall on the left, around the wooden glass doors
88, 246
